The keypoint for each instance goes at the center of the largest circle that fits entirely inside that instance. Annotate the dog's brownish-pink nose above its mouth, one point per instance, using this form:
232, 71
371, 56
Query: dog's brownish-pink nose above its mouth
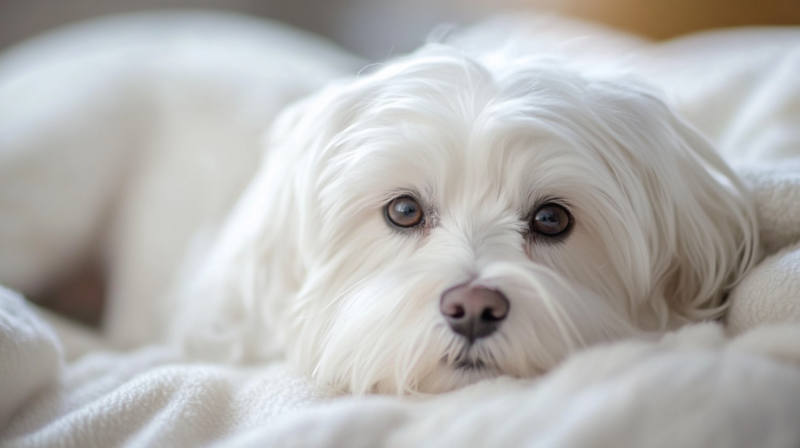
473, 311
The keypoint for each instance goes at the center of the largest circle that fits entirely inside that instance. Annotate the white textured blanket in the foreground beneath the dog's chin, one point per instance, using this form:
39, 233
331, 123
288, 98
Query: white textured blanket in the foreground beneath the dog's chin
691, 389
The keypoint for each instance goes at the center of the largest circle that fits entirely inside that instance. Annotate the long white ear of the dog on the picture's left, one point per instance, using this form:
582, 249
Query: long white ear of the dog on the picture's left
231, 306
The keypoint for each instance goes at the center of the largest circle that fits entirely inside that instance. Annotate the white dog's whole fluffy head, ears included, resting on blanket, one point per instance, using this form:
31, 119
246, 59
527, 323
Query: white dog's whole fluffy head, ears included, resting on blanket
439, 222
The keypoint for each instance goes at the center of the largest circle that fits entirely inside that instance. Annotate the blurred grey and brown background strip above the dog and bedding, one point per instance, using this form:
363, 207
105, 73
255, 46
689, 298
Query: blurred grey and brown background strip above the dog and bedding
377, 28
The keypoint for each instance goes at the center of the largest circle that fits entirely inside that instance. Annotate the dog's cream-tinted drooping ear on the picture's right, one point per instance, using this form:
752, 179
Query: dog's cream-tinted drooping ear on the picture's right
705, 232
